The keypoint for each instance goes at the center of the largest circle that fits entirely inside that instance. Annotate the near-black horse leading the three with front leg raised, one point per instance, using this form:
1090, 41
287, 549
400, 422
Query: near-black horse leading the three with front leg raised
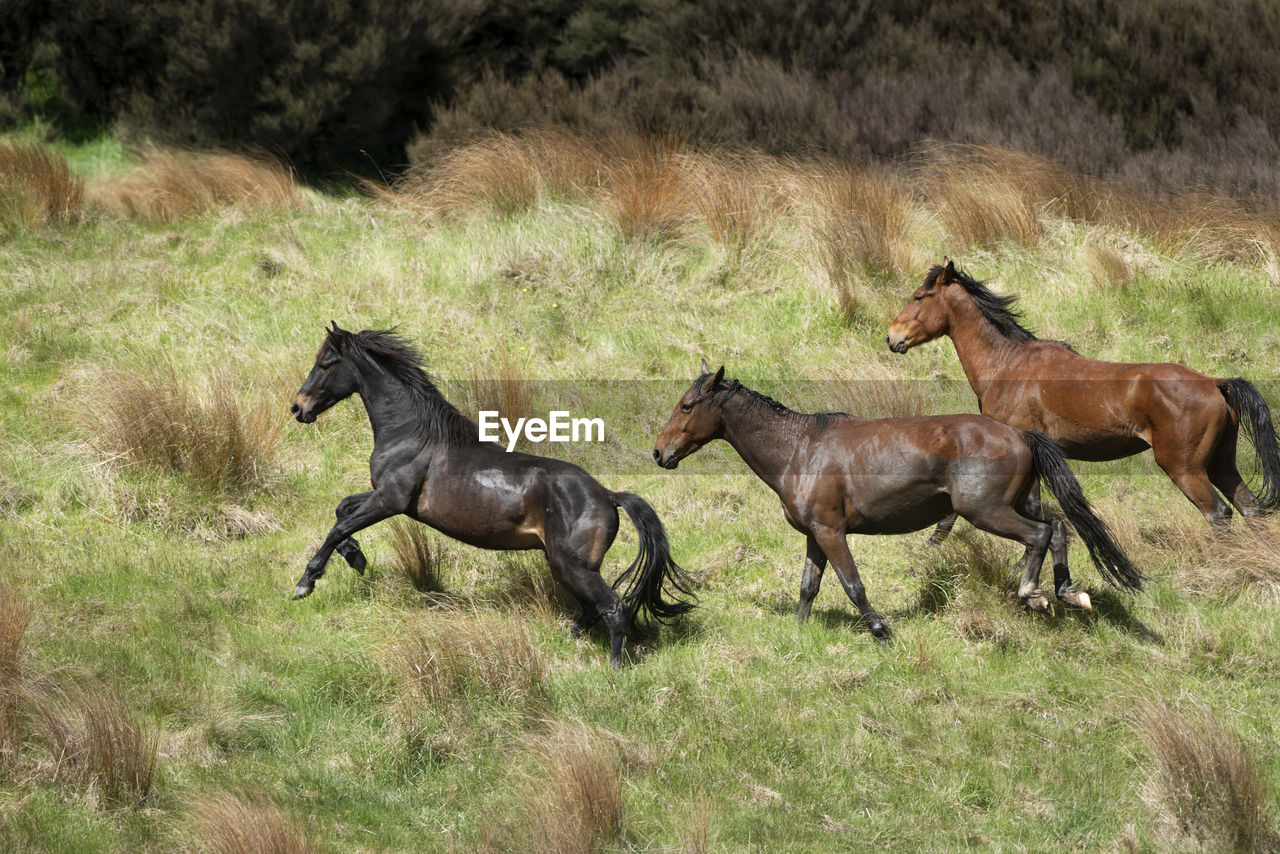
429, 464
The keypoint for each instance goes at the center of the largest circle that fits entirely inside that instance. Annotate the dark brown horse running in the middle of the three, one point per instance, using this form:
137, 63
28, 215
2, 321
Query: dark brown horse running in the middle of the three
838, 474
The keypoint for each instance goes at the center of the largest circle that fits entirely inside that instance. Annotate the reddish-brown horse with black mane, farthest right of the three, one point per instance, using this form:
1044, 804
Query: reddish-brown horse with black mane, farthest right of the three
1098, 410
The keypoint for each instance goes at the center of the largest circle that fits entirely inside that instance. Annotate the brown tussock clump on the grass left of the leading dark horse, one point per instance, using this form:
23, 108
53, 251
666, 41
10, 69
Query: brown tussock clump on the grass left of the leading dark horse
211, 435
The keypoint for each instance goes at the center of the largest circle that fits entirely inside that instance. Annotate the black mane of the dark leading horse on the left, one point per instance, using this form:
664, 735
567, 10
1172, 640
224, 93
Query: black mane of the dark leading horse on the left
441, 421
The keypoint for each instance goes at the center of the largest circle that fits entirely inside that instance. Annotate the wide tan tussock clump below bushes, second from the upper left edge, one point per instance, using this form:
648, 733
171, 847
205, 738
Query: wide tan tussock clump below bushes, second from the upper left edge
176, 185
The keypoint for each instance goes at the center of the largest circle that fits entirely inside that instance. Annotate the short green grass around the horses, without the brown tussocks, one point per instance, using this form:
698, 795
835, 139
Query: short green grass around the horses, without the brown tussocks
981, 727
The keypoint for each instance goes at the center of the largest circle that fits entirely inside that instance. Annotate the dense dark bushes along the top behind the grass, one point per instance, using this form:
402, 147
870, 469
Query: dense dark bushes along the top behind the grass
1172, 92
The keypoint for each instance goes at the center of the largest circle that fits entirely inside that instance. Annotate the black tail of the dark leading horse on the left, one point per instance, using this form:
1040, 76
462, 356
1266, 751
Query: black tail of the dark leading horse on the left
652, 573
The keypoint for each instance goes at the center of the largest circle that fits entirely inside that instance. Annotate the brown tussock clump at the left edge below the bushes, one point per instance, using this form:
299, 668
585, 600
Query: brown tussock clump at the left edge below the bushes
36, 188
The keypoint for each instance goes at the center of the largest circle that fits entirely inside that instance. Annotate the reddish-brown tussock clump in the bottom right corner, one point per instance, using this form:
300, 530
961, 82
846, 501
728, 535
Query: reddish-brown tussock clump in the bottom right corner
1206, 780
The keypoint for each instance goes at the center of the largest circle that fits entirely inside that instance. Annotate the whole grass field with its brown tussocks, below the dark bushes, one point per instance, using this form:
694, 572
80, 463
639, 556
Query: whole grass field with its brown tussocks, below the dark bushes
161, 692
